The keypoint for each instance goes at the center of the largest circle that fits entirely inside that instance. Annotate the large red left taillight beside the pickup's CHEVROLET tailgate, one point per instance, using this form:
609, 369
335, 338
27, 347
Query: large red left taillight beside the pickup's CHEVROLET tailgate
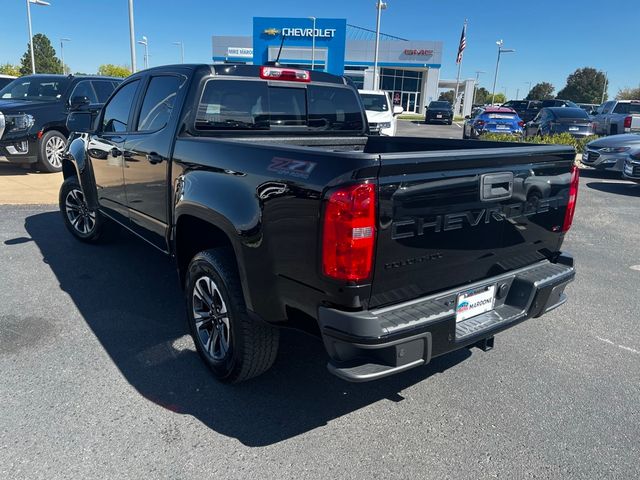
348, 234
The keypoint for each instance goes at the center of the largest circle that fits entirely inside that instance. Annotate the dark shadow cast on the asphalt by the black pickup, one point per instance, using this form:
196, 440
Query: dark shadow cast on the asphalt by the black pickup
129, 296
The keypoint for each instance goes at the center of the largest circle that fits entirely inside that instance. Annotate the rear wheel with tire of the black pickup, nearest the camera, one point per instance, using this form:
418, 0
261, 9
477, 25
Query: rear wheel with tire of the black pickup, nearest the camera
234, 345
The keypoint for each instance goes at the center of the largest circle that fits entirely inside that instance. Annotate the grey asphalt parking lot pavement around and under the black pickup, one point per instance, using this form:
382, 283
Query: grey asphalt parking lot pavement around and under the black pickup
100, 380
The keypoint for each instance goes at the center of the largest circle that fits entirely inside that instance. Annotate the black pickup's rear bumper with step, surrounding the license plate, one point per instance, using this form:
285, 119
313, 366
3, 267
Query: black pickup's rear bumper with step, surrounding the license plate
368, 345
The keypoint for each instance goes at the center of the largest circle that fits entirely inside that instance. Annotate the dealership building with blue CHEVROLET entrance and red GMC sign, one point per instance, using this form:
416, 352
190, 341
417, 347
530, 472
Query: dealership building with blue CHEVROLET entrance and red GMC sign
408, 69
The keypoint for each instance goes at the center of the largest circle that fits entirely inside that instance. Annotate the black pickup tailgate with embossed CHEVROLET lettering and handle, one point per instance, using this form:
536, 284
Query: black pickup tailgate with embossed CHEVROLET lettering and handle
447, 219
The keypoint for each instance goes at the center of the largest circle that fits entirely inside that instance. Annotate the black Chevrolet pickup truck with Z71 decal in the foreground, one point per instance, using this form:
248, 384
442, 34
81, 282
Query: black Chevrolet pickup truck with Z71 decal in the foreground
279, 210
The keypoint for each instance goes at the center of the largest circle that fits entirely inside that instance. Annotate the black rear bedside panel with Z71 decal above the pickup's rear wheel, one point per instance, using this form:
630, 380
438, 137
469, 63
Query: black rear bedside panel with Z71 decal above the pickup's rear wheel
268, 200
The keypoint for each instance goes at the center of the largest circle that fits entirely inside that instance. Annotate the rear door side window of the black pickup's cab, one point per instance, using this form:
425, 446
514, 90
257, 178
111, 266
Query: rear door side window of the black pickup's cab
159, 101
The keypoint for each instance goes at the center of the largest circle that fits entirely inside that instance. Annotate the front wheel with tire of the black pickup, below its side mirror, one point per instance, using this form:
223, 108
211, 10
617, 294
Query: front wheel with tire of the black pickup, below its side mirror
84, 224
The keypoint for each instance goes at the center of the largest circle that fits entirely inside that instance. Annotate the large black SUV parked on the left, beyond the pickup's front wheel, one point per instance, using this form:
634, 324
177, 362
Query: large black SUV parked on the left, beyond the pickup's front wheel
33, 114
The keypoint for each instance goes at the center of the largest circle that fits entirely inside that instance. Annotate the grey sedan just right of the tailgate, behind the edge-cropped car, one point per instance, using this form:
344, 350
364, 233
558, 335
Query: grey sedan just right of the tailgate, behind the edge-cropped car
610, 153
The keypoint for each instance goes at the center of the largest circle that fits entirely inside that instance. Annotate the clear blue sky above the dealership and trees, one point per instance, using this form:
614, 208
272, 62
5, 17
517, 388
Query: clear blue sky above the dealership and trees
552, 37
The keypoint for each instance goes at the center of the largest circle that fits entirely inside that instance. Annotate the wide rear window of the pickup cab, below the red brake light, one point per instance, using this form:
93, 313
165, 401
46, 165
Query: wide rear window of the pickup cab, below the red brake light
258, 105
